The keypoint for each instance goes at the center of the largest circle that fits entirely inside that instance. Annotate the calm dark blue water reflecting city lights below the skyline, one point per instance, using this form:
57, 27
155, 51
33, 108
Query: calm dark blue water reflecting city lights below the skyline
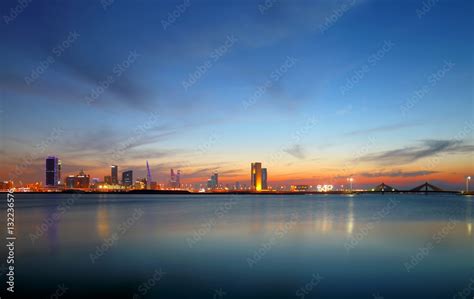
180, 246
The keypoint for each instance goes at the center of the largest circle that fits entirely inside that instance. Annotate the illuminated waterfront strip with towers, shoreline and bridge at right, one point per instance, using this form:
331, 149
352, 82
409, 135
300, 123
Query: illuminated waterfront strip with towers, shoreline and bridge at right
258, 183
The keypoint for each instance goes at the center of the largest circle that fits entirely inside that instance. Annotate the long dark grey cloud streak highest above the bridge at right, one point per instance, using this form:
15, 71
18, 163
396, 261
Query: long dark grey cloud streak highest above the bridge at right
425, 149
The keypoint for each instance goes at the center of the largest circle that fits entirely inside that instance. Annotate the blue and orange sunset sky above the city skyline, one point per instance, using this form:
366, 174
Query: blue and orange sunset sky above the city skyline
318, 91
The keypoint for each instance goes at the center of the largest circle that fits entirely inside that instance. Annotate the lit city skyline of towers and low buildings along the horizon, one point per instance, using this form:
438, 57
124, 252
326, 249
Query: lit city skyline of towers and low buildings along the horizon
257, 181
